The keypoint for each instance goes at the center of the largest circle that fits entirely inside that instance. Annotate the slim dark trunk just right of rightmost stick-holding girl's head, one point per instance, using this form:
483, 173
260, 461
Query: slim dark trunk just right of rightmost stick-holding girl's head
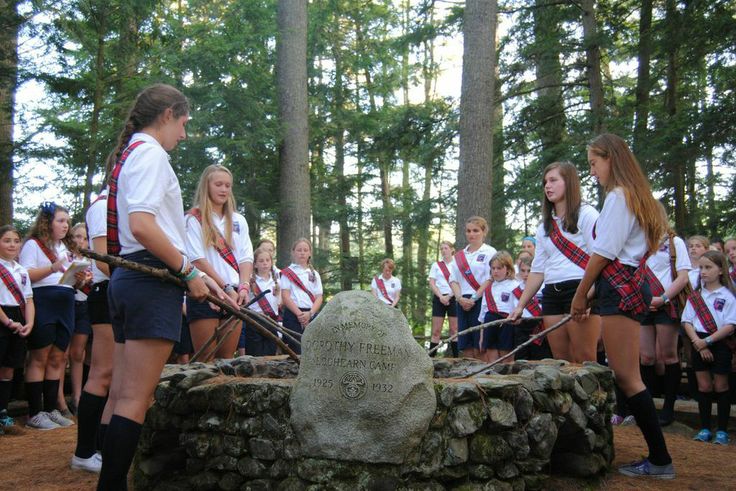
643, 84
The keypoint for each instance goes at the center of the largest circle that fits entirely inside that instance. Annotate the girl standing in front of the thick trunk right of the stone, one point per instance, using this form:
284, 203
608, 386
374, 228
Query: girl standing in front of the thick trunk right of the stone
471, 274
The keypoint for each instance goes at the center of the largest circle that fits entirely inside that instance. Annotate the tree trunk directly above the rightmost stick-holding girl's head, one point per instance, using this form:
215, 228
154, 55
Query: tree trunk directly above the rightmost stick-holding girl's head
593, 62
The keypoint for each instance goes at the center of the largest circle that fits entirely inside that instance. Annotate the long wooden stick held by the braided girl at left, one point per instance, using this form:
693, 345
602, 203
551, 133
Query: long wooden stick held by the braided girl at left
164, 275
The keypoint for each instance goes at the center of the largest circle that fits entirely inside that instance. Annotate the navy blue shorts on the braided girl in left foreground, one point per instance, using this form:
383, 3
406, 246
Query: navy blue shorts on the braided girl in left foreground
141, 306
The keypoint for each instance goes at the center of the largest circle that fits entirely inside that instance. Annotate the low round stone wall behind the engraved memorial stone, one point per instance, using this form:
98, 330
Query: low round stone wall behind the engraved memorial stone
228, 427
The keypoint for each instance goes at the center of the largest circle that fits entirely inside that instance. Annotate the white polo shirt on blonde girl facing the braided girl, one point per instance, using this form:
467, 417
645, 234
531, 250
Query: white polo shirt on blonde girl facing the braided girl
241, 246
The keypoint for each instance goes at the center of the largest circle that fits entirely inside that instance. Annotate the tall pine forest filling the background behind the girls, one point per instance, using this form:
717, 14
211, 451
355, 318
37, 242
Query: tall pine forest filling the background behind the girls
329, 115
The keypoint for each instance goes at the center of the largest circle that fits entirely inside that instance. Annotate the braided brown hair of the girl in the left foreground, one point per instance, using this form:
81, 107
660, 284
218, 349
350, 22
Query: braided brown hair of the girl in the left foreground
151, 103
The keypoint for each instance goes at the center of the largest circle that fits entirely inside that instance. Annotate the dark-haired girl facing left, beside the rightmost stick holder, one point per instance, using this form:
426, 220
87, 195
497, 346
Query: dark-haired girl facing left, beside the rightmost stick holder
564, 240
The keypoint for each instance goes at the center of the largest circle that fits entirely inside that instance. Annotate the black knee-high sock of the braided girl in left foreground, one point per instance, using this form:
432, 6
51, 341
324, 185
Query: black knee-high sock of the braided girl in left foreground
118, 451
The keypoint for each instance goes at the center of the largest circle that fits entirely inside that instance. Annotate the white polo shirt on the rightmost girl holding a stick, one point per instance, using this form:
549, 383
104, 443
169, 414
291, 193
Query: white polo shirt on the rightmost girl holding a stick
618, 233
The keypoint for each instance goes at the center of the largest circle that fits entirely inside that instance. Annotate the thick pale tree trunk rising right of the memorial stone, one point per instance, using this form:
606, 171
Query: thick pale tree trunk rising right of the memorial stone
476, 113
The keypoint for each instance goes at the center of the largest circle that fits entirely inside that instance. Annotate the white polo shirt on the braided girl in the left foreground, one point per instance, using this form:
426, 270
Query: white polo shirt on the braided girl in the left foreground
148, 184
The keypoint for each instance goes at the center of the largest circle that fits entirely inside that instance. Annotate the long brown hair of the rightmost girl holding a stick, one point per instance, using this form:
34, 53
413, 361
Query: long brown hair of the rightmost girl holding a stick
626, 174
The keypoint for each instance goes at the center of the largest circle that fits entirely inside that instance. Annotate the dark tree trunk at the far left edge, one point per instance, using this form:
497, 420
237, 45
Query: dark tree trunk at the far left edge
9, 24
